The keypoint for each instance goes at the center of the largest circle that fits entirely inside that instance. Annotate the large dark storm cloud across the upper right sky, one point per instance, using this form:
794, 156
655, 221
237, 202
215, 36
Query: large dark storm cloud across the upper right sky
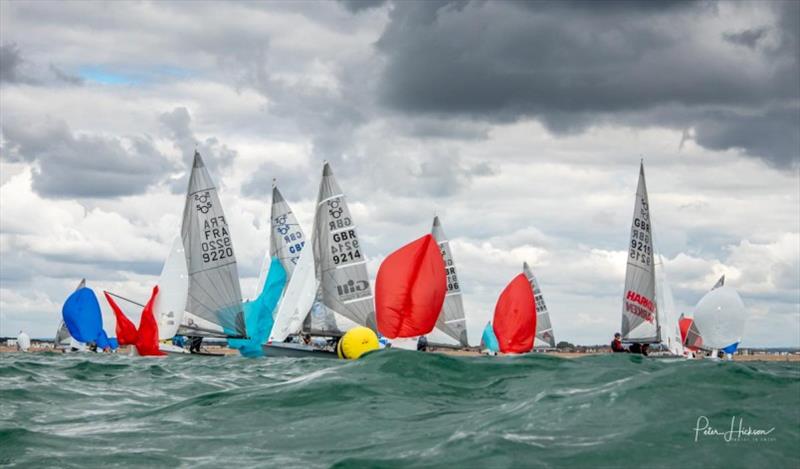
575, 64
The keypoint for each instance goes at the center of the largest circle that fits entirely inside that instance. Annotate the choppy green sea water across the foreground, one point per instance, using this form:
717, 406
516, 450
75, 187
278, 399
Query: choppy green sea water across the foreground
397, 409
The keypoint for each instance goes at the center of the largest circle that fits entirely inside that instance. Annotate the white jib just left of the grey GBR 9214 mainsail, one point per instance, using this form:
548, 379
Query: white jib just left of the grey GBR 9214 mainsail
298, 298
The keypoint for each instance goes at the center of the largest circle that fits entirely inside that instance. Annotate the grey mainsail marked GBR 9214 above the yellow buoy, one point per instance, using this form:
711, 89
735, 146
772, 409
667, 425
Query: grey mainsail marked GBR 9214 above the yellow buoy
341, 264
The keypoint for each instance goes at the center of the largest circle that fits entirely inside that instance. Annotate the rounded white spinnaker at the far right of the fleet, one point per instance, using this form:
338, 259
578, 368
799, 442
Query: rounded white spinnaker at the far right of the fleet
720, 317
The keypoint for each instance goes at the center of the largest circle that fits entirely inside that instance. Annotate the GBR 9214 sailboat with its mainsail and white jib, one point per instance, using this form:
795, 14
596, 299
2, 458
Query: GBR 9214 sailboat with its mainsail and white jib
341, 288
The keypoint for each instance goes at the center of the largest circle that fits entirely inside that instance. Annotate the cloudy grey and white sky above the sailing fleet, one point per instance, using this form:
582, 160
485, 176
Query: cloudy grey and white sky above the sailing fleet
521, 124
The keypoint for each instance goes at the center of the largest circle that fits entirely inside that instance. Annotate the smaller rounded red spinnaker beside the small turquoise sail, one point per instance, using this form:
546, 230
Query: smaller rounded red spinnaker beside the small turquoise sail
514, 320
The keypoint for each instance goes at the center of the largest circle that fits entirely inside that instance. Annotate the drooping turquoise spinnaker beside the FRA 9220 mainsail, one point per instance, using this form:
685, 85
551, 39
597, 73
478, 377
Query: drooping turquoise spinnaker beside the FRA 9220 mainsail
258, 312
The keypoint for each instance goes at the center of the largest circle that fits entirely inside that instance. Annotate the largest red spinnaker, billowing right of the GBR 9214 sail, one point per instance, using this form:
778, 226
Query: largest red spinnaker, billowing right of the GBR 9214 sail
410, 289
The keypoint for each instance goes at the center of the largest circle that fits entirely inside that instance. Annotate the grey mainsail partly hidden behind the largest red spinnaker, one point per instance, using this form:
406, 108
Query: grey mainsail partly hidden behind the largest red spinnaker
451, 320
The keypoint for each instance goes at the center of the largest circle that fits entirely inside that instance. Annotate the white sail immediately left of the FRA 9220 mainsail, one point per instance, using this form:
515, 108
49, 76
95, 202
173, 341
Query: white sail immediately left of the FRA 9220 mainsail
173, 288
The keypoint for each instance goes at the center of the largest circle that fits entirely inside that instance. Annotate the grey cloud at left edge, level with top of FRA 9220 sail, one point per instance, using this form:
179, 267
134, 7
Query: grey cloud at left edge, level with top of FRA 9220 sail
79, 165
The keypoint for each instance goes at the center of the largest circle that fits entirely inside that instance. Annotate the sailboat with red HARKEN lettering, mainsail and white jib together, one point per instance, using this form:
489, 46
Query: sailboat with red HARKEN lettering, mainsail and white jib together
644, 318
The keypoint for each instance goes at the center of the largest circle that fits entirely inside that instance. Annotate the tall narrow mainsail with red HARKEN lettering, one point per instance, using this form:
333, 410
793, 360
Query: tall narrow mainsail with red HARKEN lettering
639, 308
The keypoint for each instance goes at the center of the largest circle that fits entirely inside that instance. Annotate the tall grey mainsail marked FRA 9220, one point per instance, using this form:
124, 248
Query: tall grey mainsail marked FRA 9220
215, 297
